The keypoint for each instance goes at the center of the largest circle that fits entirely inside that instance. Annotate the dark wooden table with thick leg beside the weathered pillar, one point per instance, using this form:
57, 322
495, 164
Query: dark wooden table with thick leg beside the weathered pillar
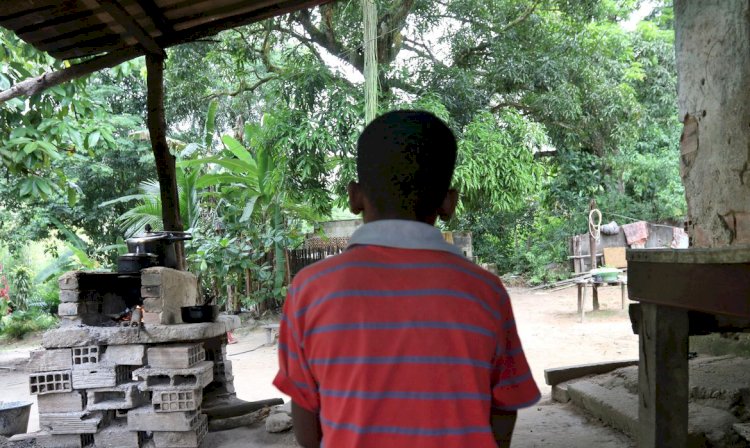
668, 284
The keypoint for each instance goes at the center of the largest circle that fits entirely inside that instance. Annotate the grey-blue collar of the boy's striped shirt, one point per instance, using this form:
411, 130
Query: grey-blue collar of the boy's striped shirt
402, 234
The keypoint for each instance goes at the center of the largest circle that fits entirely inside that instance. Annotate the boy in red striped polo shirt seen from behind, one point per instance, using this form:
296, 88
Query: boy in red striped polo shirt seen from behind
400, 341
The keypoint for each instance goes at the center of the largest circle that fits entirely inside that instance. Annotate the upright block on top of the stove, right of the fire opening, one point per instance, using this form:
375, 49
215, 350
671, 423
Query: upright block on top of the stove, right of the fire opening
164, 292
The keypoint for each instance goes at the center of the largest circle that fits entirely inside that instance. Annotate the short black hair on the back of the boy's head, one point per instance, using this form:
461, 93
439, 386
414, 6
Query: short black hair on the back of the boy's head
405, 162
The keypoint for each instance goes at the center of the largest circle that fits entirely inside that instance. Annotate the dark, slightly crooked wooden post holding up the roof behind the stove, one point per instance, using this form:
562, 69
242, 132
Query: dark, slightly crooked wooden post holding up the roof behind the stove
165, 162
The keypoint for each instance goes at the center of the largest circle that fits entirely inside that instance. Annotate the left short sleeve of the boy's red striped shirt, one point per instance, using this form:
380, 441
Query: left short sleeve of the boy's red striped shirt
294, 377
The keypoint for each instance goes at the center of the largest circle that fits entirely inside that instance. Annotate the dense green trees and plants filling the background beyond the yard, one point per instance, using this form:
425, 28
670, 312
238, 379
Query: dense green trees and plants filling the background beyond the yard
553, 102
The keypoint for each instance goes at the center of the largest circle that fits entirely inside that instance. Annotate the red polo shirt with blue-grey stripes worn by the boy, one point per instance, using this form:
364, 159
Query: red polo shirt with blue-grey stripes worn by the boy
401, 342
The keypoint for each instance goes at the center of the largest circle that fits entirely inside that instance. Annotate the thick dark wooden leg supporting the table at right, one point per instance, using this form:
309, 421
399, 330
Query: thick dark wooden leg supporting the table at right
663, 377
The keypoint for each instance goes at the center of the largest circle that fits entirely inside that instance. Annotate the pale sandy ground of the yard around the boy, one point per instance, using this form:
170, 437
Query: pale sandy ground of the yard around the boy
550, 331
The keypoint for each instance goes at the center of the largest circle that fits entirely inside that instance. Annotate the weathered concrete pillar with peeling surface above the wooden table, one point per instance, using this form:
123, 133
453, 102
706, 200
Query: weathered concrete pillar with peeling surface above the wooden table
713, 65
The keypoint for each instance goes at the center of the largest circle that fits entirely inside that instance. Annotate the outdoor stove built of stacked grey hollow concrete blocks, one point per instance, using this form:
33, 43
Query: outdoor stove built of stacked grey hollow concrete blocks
97, 382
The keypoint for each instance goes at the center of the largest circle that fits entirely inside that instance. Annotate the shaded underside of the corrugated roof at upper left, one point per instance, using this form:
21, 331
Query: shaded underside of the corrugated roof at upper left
69, 29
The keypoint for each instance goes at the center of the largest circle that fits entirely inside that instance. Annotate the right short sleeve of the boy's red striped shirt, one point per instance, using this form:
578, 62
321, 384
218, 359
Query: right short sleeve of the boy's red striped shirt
513, 387
